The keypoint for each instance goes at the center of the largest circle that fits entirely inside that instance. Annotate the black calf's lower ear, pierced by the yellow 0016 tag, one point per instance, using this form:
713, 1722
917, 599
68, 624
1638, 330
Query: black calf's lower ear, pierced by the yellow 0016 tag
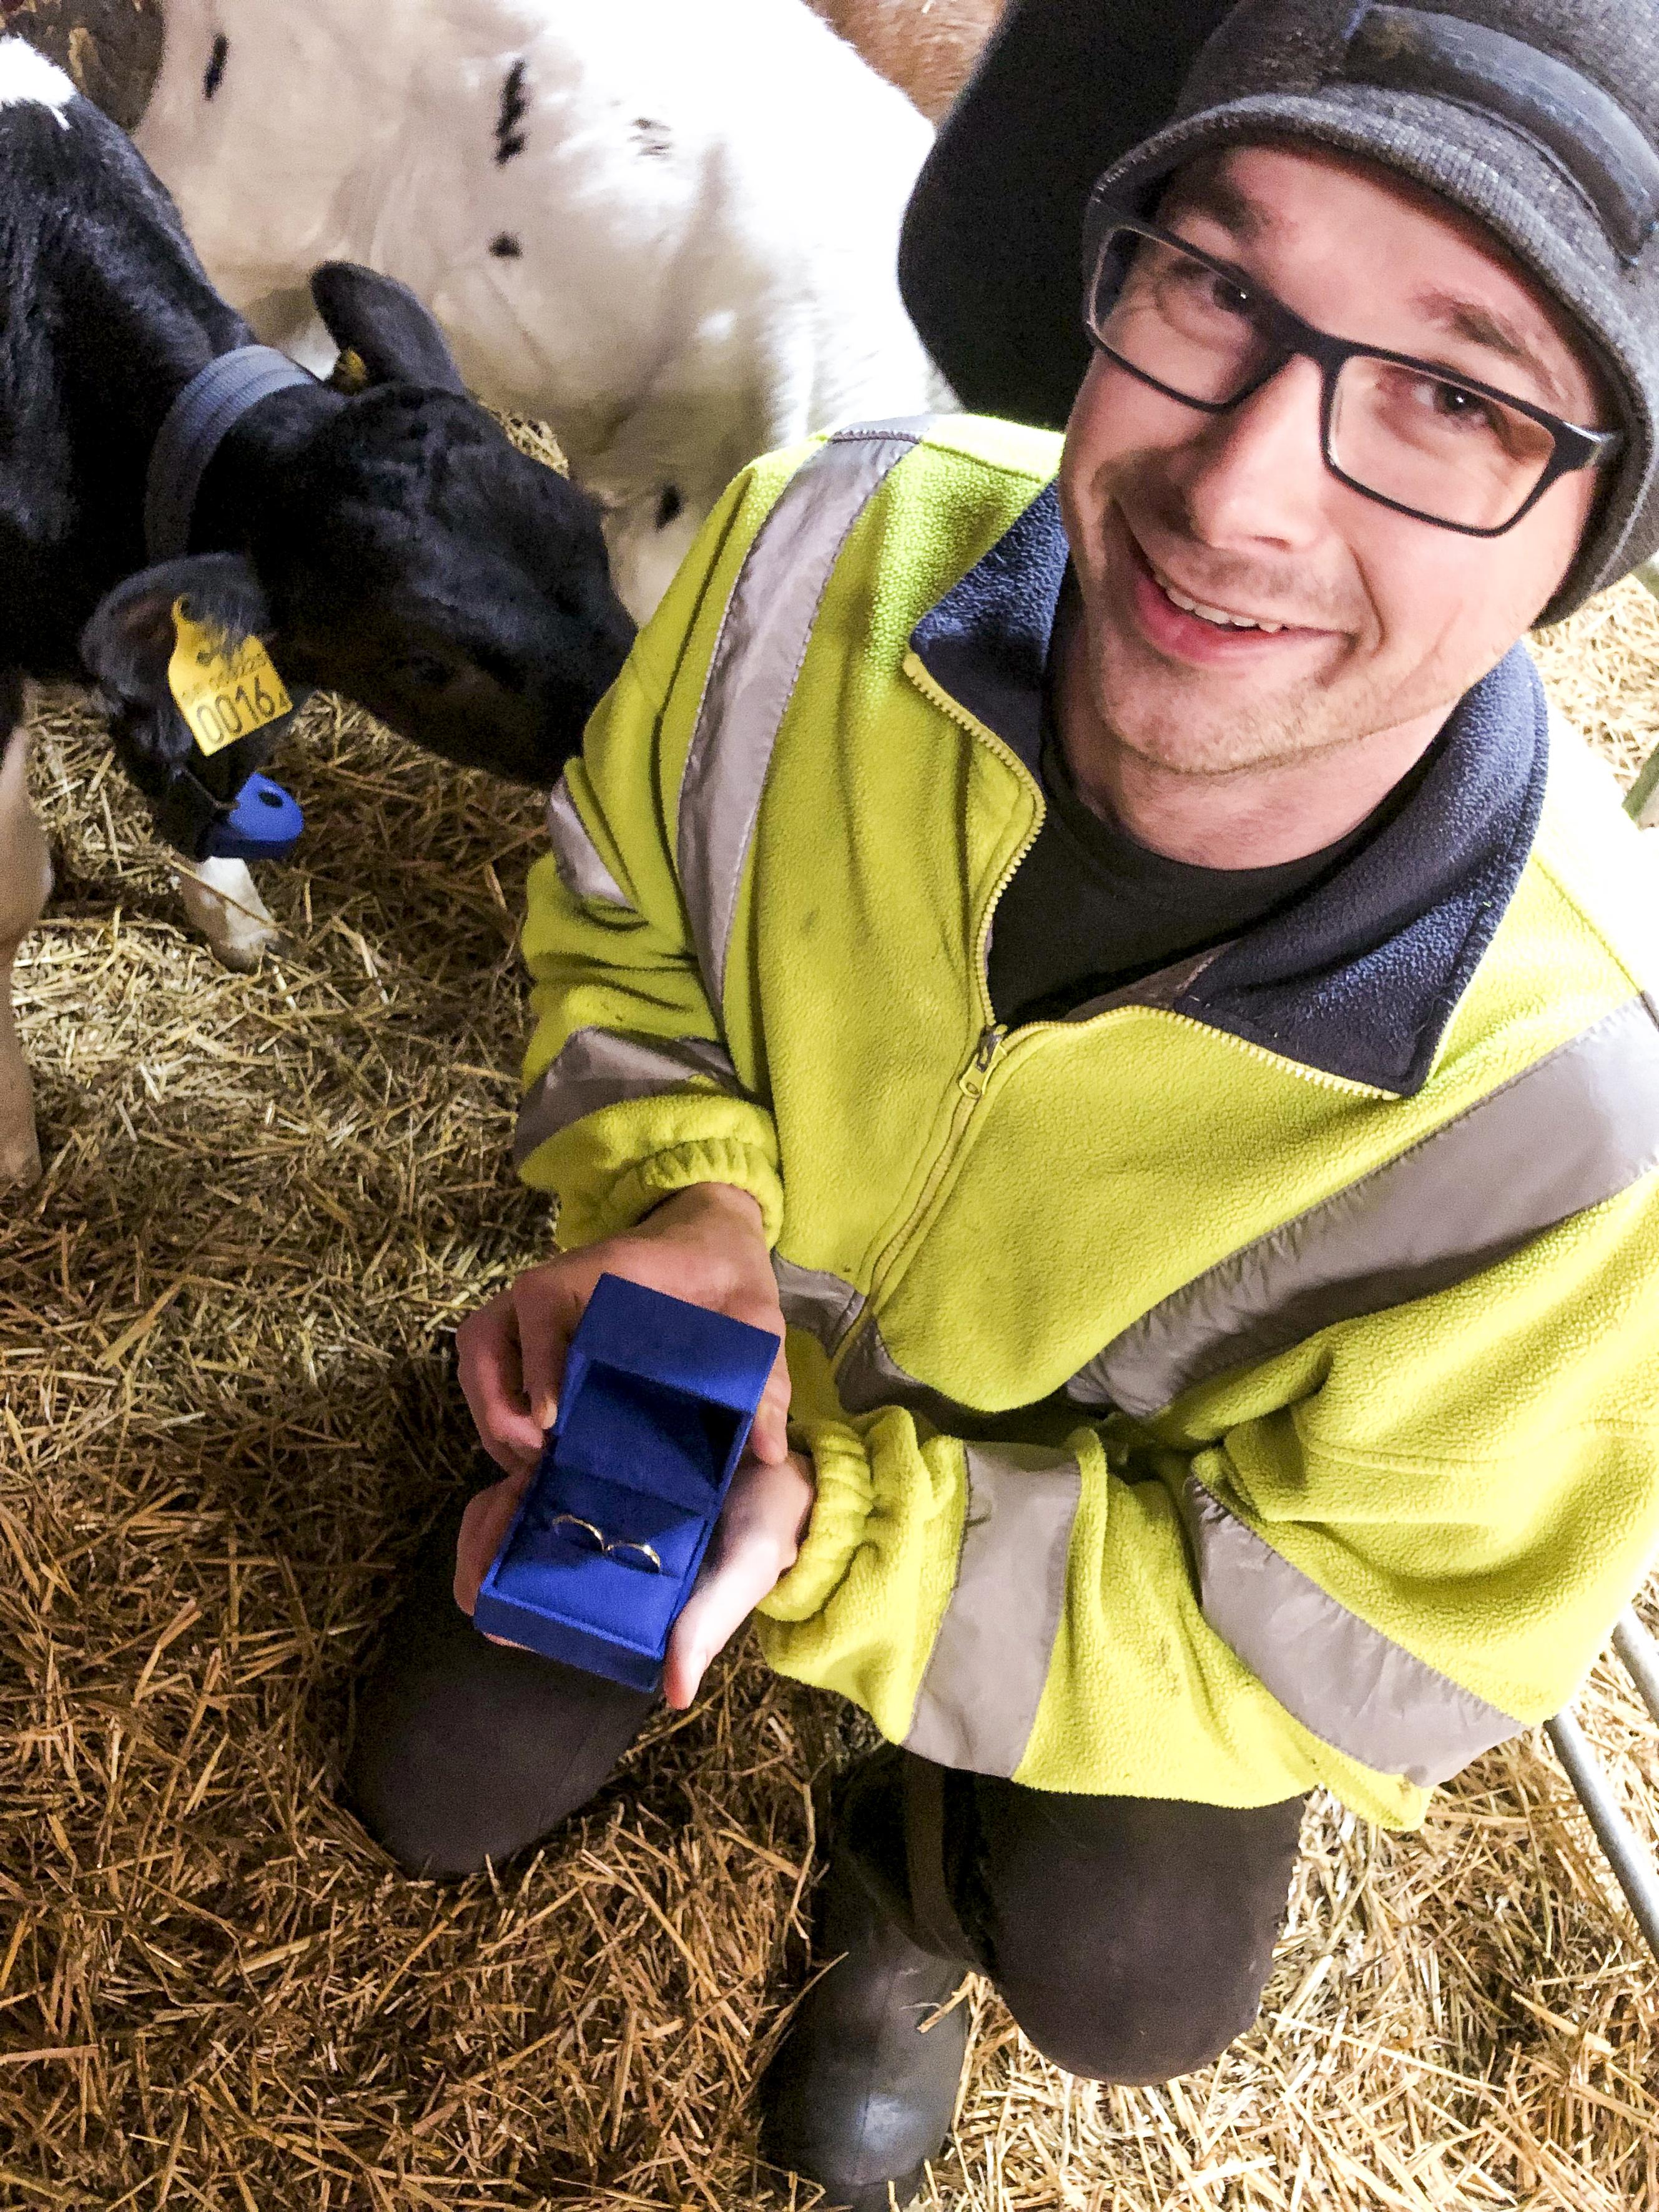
129, 643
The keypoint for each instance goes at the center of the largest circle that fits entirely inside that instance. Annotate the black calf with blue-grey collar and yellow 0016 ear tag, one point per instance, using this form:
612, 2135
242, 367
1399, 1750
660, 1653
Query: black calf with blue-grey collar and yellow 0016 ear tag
388, 545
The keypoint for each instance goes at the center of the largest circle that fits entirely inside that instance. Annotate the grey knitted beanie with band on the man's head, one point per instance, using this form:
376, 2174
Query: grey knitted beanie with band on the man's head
1541, 118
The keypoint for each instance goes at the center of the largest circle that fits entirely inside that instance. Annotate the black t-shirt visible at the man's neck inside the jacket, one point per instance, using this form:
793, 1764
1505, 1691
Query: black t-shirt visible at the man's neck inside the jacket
1092, 910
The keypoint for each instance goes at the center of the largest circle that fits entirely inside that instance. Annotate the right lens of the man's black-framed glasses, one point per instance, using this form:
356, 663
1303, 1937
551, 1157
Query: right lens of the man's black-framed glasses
1434, 446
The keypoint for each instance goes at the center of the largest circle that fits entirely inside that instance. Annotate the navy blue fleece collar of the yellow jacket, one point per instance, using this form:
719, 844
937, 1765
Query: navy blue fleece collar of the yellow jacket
1364, 974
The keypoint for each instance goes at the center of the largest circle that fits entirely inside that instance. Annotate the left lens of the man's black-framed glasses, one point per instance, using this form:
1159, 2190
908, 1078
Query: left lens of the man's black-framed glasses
1176, 320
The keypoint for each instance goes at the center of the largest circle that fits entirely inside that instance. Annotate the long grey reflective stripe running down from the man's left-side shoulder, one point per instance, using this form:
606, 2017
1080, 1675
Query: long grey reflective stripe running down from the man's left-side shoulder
758, 656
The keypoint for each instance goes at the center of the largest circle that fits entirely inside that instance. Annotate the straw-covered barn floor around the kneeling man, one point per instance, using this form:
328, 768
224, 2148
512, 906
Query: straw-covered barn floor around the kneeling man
225, 1324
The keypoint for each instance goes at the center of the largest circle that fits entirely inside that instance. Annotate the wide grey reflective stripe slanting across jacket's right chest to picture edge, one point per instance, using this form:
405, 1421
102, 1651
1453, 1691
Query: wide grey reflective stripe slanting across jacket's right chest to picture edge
1563, 1136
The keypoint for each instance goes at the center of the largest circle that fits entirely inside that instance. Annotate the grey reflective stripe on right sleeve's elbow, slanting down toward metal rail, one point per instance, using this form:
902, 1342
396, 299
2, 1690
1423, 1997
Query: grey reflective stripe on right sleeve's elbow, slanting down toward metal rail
1346, 1682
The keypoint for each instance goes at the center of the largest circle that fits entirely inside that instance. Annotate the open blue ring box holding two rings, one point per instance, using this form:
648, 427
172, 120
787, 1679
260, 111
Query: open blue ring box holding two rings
654, 1419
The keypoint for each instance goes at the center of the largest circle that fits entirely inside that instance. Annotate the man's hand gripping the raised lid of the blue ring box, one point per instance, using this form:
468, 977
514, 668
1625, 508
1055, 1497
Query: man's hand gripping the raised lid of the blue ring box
705, 1244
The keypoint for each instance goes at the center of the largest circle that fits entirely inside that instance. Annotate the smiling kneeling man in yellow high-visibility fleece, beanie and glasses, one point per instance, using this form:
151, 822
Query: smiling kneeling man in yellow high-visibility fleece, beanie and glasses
1127, 974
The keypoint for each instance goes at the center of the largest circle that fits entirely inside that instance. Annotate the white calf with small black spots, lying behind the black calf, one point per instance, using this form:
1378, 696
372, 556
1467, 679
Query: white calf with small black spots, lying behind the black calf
667, 229
